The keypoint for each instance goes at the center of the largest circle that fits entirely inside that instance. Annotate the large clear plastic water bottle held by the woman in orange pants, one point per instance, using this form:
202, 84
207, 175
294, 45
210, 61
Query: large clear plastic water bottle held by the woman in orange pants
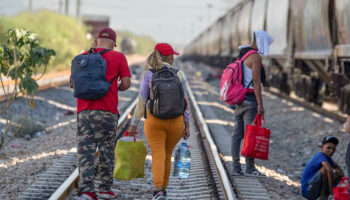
182, 161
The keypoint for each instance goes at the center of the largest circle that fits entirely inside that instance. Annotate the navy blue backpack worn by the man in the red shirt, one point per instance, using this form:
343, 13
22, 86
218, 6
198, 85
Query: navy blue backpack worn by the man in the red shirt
89, 75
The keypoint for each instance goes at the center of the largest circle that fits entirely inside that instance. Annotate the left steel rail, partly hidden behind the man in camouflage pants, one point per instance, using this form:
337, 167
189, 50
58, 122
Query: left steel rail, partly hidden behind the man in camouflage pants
66, 187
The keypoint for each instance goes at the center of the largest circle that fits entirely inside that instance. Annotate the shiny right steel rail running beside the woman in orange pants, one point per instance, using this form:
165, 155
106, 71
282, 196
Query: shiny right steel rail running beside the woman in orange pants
224, 179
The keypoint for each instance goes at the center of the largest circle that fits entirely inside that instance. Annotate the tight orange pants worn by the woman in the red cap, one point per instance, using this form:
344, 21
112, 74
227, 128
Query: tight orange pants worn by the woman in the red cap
162, 136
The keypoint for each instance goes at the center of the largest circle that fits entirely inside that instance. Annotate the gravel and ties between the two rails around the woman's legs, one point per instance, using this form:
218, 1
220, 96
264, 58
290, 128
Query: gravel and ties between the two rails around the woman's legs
197, 186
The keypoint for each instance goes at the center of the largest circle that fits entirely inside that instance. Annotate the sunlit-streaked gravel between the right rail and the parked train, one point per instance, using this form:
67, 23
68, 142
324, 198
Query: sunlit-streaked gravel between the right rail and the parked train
295, 132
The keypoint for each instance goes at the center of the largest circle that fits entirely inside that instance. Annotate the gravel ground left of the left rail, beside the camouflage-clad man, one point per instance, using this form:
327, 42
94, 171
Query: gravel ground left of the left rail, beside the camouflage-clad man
22, 160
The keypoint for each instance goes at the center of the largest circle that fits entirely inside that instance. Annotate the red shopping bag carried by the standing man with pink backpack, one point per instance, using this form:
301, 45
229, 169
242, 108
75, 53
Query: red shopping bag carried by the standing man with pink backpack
256, 140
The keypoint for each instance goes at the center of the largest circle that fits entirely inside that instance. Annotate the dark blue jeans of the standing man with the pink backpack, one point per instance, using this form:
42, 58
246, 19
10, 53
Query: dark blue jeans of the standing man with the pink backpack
245, 114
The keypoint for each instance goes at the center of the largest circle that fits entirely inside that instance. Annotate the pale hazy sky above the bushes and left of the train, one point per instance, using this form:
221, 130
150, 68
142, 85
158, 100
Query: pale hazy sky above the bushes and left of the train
177, 21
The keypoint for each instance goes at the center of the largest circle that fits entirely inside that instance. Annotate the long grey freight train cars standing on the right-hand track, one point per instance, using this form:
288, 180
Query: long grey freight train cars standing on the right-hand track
311, 52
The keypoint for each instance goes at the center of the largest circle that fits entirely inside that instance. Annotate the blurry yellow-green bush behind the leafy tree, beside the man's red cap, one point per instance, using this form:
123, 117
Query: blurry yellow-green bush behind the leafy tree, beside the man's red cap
59, 32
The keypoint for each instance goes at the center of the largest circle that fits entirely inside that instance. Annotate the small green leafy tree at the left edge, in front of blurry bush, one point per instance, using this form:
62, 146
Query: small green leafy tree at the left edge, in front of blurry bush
20, 59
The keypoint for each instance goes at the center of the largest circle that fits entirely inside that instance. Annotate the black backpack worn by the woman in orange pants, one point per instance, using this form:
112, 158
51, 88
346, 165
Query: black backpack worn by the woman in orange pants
166, 94
